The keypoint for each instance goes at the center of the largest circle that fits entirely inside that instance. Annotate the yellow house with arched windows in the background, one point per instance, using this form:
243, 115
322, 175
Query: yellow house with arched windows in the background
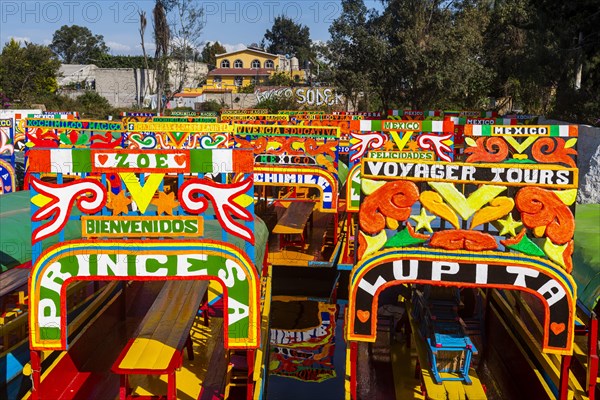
250, 66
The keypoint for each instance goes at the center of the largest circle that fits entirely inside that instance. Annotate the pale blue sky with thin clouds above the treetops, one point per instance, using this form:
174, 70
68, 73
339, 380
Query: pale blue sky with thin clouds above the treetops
233, 23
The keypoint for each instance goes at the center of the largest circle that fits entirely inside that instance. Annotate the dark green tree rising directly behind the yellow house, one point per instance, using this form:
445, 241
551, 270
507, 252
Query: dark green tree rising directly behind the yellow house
288, 37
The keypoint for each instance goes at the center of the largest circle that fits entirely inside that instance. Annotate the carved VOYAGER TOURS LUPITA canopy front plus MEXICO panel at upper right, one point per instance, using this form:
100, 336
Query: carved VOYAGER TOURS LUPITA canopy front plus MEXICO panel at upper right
504, 218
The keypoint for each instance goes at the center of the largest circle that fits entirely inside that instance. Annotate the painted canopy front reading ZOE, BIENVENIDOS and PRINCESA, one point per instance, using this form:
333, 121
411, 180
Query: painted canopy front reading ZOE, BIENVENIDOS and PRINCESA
116, 196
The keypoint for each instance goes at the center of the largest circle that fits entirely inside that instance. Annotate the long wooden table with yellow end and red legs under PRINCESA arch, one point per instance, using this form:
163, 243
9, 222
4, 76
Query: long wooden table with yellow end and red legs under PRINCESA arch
157, 345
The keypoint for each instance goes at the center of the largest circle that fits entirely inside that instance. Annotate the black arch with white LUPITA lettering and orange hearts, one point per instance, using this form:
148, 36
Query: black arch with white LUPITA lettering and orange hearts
537, 276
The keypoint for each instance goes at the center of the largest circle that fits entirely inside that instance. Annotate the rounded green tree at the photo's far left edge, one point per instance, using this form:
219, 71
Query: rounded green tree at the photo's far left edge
27, 72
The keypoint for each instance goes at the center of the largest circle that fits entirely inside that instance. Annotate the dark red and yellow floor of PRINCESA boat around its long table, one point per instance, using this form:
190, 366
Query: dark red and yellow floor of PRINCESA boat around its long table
84, 372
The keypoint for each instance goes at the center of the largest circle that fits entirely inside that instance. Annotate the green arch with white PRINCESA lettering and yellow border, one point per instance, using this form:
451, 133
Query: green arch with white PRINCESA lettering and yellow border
149, 260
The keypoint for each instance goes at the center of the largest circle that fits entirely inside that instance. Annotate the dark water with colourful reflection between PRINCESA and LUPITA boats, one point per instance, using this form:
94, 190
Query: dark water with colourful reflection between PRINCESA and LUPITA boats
307, 351
